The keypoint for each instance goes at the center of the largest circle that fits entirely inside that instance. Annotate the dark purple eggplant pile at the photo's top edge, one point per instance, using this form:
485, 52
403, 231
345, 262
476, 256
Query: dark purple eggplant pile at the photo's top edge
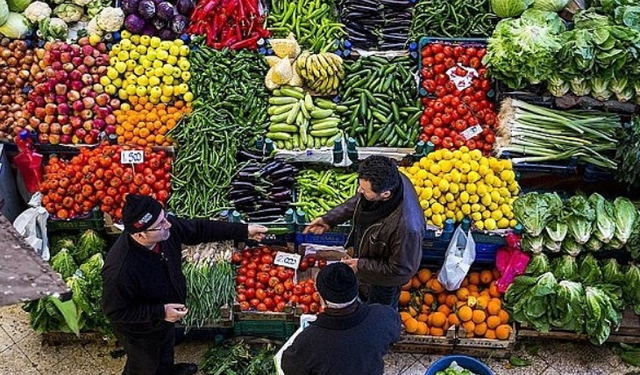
377, 24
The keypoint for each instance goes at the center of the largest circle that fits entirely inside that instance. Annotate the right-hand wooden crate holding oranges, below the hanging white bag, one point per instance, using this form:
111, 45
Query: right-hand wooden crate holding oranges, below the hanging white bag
480, 347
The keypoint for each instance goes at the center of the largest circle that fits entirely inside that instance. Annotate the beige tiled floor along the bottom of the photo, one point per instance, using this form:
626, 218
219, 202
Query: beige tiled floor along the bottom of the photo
21, 352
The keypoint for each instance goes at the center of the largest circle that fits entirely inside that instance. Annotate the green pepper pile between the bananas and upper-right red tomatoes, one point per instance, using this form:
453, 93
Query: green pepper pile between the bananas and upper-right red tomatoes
381, 98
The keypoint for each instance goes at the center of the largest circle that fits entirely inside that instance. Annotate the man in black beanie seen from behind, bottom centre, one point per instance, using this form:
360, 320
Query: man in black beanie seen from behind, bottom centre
349, 337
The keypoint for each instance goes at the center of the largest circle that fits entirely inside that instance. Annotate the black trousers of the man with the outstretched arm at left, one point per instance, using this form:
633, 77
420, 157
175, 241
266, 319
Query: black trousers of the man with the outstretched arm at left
148, 354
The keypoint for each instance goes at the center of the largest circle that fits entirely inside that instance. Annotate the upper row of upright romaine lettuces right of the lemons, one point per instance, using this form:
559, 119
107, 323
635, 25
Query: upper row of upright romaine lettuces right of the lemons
579, 224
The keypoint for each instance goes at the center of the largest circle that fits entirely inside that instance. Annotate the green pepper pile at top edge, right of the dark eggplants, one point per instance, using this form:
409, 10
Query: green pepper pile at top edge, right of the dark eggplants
453, 19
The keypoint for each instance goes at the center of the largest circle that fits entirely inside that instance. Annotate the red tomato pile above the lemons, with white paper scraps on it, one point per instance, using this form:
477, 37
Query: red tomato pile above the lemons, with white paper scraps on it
448, 111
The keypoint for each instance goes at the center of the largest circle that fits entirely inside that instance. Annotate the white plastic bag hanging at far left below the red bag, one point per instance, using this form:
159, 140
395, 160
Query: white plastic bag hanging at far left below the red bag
32, 225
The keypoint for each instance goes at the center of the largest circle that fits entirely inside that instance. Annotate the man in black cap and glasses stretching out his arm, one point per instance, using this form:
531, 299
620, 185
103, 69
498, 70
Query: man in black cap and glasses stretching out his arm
144, 290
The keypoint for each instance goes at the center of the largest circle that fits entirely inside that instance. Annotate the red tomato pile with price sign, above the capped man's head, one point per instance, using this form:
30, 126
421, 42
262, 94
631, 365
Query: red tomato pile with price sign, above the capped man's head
96, 177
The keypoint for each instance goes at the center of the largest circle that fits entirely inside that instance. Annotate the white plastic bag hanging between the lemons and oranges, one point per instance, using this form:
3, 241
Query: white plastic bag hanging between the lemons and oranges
459, 257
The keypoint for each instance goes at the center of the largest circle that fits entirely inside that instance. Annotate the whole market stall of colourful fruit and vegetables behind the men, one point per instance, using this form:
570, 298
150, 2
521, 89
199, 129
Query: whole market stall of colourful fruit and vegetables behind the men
515, 121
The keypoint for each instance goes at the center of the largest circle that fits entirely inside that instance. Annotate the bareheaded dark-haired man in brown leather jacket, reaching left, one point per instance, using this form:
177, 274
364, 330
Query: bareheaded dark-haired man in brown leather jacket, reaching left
388, 228
